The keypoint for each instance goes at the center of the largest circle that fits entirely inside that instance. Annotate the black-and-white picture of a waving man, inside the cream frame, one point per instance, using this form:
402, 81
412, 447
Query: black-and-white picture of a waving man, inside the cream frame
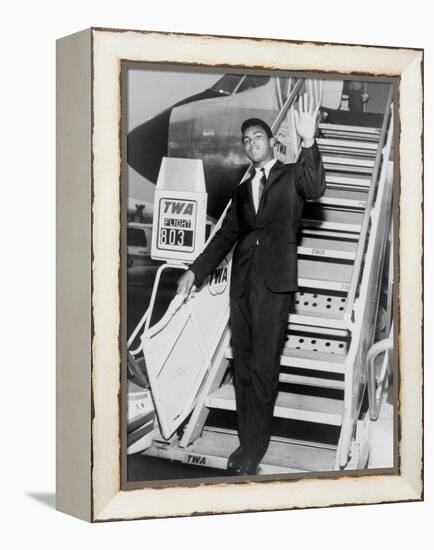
258, 269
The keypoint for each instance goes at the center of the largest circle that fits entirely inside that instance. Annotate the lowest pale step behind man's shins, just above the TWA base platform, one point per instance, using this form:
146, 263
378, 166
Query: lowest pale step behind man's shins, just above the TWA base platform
322, 410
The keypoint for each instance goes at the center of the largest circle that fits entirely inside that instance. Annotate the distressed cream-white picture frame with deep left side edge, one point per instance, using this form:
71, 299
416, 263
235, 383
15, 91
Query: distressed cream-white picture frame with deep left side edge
88, 274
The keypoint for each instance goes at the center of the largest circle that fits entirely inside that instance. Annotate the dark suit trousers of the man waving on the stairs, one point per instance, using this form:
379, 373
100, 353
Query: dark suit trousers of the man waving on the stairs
259, 320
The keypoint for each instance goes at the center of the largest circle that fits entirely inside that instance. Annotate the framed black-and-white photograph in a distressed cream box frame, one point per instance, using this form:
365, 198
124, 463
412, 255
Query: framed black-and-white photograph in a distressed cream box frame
239, 275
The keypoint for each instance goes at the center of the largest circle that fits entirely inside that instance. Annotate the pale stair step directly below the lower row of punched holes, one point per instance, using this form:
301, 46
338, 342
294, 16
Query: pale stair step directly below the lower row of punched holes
306, 359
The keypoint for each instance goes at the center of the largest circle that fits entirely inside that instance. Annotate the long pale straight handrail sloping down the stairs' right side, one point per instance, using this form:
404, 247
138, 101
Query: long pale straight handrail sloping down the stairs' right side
361, 246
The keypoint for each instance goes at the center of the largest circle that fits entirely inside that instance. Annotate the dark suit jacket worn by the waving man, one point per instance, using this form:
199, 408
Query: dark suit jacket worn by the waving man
270, 235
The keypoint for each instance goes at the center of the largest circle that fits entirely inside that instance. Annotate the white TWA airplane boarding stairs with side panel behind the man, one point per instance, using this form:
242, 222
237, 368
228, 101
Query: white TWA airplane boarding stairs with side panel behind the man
318, 424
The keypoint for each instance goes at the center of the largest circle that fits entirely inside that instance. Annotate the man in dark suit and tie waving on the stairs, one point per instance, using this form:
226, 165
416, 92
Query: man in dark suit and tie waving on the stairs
263, 221
